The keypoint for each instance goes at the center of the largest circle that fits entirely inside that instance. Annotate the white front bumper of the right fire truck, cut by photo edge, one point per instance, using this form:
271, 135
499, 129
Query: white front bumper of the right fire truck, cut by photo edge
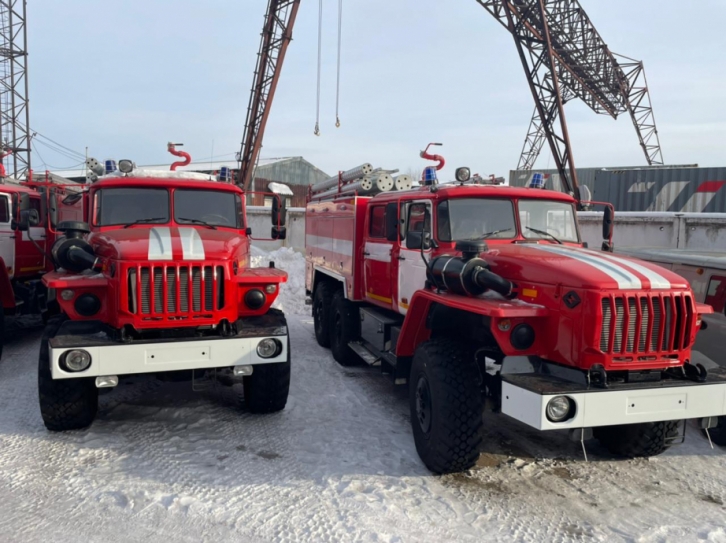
614, 407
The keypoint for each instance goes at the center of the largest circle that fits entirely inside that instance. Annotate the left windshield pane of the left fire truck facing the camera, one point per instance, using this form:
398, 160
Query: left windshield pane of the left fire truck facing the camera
114, 206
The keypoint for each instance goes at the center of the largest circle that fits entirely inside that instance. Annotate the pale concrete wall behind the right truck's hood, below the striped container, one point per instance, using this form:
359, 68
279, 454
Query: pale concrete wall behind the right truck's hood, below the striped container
705, 231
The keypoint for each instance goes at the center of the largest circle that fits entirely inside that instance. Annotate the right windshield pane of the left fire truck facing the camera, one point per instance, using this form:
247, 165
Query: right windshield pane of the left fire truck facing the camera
211, 207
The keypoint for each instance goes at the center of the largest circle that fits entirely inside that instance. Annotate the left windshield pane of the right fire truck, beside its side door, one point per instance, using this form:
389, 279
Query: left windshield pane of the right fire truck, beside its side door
475, 218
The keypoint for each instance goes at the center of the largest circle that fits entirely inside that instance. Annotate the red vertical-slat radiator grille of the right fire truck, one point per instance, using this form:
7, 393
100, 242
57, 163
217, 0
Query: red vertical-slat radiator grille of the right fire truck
645, 324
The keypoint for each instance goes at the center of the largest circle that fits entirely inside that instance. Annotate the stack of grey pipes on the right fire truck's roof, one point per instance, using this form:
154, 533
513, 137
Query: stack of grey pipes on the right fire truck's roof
362, 180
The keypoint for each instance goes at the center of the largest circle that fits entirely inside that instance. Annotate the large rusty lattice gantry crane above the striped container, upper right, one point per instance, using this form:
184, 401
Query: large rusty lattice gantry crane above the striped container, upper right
564, 57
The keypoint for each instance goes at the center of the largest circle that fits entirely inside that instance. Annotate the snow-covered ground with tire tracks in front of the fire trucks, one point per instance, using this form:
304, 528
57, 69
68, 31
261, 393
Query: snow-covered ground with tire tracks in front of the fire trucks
162, 463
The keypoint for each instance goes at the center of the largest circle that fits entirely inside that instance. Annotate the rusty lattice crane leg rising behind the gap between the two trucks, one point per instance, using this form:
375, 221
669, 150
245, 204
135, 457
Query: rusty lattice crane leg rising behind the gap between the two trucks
276, 36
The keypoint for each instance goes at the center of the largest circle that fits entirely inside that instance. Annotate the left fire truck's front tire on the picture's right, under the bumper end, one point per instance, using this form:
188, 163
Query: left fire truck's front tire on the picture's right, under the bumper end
266, 390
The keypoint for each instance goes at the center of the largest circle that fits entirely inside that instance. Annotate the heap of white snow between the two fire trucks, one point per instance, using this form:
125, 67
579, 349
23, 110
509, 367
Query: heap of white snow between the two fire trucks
291, 299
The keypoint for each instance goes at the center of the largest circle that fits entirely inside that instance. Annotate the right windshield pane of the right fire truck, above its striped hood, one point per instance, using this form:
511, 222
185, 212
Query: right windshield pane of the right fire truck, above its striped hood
555, 218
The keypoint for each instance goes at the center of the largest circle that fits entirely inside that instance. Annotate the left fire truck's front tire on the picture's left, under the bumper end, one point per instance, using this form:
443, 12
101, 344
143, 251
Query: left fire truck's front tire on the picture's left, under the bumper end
65, 404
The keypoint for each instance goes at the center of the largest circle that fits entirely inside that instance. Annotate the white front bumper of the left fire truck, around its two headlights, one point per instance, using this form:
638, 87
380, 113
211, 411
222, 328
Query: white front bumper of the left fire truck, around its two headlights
168, 356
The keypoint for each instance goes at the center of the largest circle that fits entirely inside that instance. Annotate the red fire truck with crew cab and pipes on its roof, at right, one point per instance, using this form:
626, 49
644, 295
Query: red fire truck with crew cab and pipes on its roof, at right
472, 292
